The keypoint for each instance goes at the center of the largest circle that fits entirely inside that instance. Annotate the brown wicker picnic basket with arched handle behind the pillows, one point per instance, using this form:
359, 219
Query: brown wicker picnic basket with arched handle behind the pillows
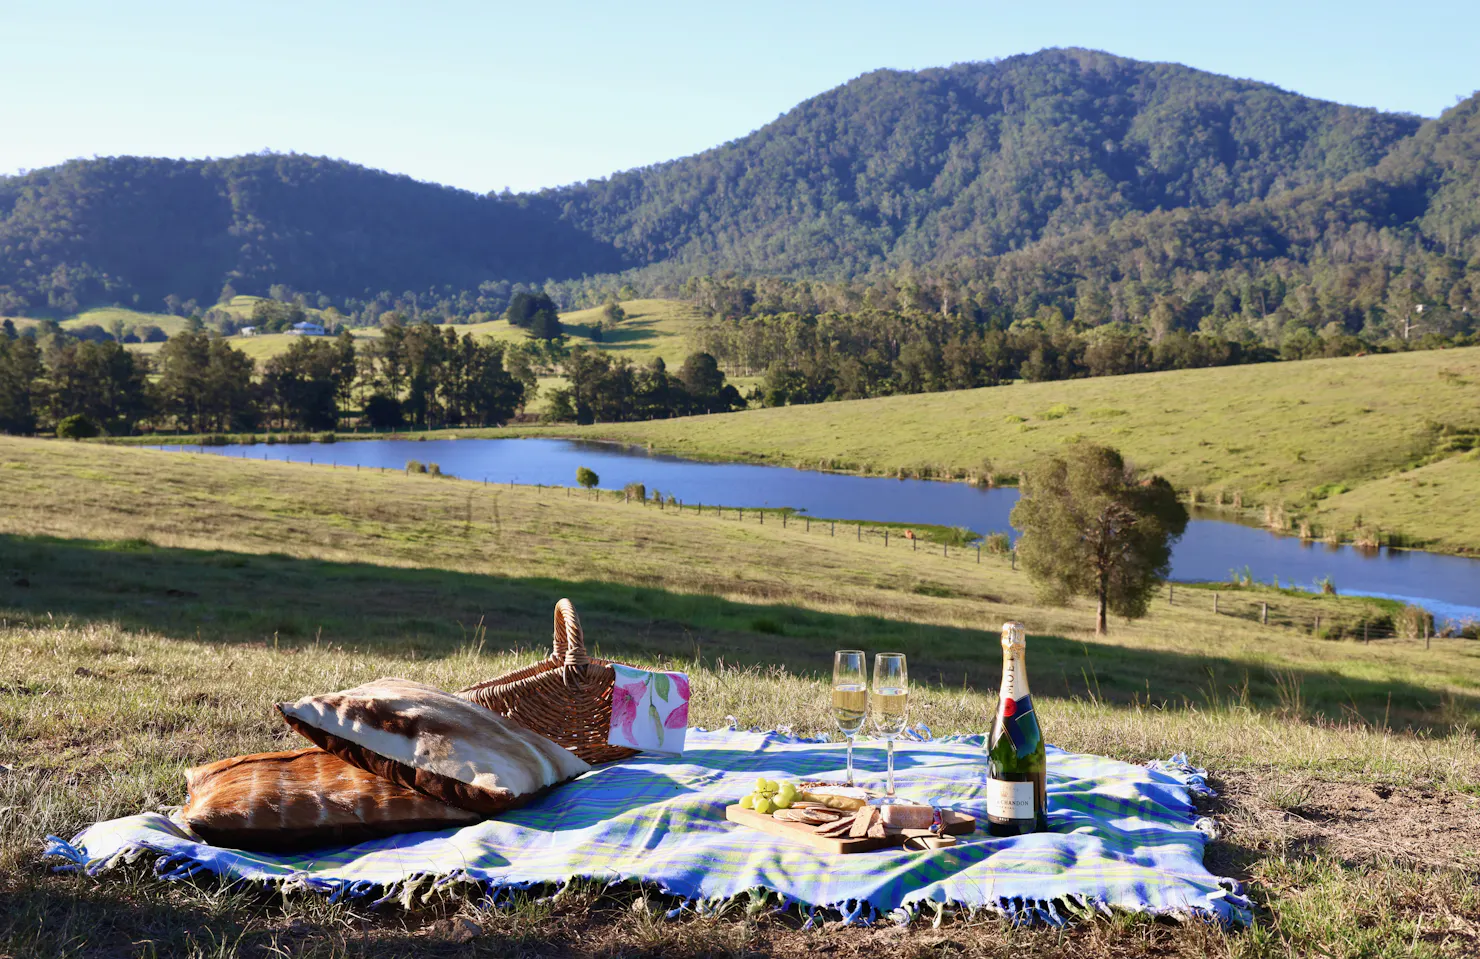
566, 698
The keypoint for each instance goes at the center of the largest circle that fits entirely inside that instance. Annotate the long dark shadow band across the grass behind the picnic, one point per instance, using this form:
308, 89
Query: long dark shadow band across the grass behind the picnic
229, 597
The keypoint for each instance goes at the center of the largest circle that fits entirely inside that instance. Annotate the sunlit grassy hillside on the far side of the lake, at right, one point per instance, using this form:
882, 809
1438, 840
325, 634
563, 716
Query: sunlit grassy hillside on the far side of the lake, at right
1376, 439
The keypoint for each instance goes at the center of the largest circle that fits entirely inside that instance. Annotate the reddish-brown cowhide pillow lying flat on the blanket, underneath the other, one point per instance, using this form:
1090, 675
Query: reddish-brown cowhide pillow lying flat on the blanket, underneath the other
304, 800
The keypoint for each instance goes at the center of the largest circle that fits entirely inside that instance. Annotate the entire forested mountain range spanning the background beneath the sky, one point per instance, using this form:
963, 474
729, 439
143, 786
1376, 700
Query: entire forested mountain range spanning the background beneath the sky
1065, 178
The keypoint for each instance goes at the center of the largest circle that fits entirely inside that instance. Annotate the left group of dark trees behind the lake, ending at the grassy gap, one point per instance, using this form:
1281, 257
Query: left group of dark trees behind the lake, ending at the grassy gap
199, 383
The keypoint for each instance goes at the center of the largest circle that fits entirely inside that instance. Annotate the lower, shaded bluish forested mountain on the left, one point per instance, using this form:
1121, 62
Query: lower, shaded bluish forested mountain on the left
98, 232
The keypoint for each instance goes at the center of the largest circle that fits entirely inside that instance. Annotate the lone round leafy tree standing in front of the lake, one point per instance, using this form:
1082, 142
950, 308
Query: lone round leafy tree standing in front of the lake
1093, 528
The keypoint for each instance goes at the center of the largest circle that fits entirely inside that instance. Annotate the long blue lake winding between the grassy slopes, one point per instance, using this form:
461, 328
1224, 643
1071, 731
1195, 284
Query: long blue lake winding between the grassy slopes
1448, 587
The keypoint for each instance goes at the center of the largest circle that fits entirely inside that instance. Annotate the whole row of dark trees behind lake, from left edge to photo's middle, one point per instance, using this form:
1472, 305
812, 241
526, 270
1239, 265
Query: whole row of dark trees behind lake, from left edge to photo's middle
412, 374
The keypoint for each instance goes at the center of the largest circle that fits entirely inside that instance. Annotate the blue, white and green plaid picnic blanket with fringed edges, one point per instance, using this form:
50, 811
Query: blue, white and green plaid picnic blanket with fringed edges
1121, 837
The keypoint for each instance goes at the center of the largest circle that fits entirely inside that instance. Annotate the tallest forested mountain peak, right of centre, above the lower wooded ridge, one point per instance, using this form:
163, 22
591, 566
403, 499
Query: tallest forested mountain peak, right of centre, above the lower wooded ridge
976, 159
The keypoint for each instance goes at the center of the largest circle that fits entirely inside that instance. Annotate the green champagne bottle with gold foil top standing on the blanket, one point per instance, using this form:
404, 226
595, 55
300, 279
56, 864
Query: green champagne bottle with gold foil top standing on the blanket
1017, 793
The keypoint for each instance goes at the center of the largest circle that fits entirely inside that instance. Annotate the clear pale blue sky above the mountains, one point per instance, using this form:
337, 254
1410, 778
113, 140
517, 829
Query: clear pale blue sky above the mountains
491, 95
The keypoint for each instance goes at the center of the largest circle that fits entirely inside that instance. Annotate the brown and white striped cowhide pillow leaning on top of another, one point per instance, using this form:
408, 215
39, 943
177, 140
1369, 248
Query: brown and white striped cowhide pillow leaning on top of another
436, 744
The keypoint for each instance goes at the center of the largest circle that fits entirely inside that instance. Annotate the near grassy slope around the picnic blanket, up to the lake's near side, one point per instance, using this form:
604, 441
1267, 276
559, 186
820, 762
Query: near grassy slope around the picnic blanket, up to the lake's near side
161, 603
